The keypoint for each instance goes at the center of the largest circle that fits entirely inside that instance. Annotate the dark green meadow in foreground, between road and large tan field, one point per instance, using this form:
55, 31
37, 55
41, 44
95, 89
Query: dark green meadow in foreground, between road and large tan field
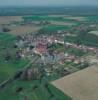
40, 93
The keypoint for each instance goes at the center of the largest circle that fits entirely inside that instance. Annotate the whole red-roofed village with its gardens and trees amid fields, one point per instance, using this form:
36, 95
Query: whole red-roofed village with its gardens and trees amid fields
52, 54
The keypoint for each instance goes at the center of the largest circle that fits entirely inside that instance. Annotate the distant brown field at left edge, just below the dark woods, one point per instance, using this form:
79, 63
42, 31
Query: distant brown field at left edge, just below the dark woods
8, 19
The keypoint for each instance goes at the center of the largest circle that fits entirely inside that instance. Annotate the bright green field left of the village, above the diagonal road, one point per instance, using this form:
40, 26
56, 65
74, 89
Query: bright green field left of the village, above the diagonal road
7, 69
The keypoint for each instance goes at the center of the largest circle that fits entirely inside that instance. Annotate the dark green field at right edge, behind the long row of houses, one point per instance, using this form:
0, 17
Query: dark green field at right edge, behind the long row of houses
83, 38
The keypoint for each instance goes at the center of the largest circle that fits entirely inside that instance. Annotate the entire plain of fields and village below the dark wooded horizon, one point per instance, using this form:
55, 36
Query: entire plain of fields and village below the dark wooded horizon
54, 46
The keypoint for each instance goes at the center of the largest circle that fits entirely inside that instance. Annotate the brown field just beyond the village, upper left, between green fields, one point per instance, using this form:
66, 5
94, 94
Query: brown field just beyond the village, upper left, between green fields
17, 30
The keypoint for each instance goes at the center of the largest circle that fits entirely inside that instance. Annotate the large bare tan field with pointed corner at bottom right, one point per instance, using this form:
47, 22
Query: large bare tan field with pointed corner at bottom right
82, 85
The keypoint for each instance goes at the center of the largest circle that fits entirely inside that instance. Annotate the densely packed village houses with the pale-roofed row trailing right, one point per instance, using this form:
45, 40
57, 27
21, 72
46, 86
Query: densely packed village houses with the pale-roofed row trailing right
30, 44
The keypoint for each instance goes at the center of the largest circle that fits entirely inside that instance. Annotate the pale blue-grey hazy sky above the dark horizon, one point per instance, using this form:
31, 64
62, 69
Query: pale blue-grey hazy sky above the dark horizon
47, 2
